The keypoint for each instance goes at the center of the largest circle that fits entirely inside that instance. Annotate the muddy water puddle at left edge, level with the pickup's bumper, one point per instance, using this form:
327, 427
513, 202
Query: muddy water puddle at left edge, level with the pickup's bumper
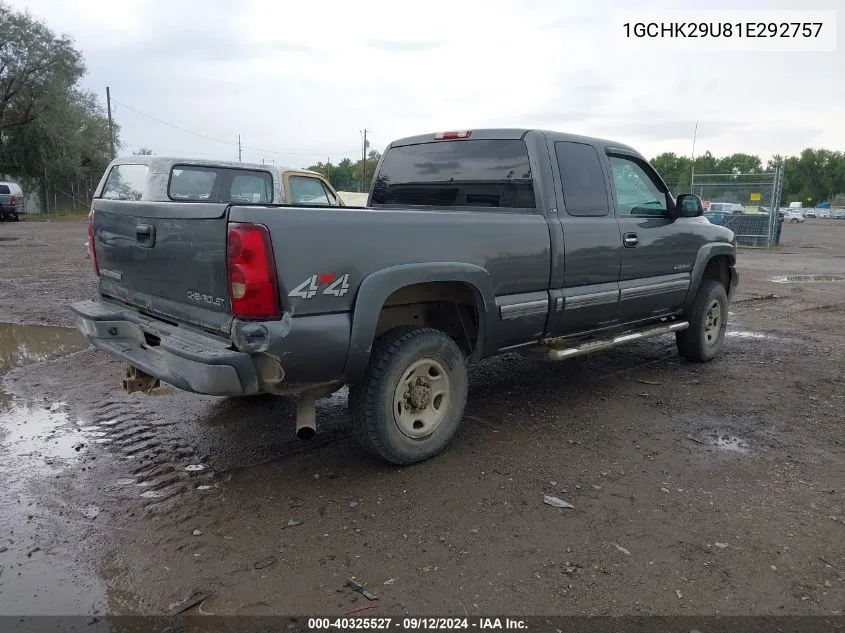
26, 344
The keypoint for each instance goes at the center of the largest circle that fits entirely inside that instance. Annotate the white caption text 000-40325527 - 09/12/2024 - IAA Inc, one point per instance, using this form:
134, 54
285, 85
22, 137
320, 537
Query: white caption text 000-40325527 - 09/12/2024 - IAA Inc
416, 624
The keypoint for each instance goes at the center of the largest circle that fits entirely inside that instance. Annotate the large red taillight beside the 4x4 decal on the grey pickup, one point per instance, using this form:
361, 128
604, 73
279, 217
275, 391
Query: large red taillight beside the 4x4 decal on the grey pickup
252, 272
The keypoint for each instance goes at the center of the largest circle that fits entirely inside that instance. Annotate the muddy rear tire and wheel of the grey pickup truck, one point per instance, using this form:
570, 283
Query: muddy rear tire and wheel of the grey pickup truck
376, 422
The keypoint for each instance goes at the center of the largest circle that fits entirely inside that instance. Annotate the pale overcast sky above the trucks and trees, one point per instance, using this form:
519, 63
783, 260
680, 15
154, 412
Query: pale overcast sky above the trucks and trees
300, 80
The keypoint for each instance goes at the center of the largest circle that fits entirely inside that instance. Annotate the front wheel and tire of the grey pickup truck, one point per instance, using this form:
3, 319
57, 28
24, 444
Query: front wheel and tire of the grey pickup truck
703, 339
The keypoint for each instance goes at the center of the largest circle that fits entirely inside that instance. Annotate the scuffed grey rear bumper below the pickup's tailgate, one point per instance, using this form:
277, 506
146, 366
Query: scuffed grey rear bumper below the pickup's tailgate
189, 360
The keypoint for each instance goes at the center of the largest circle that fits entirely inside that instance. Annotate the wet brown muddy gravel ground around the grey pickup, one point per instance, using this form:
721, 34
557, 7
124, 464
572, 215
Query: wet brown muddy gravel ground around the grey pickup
697, 489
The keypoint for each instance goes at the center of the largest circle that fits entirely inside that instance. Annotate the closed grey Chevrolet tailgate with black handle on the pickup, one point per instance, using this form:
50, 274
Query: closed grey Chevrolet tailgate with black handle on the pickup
166, 258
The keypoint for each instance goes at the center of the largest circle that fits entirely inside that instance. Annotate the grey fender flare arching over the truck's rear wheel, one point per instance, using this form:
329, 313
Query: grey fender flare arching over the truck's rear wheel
378, 286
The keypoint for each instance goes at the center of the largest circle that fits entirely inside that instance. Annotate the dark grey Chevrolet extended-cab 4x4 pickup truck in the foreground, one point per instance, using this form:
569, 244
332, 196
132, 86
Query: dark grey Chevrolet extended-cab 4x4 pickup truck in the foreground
473, 243
